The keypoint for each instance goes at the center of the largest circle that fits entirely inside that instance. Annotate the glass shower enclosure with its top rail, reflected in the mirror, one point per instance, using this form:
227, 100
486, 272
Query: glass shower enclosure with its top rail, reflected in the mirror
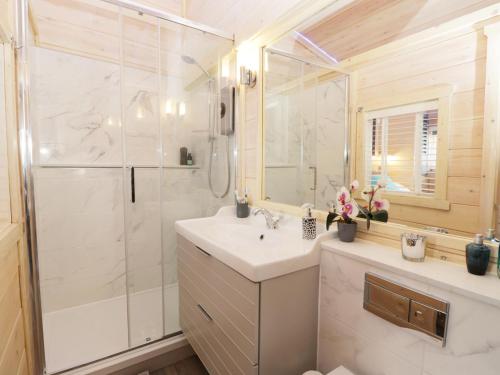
306, 112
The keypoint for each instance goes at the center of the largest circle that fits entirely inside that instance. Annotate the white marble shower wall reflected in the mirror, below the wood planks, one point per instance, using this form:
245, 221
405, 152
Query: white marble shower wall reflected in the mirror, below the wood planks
305, 130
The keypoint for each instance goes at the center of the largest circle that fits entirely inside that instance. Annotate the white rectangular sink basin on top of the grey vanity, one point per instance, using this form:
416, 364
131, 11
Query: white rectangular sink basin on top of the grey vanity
249, 247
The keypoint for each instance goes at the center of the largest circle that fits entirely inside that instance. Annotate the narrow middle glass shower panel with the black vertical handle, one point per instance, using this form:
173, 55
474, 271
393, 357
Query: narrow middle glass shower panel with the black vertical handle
142, 175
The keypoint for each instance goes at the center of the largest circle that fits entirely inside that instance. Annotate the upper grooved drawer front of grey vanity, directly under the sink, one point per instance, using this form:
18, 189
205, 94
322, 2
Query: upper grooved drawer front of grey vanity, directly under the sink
231, 300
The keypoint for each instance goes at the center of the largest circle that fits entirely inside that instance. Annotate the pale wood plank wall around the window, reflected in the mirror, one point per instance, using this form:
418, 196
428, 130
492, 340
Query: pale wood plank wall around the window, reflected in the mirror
458, 60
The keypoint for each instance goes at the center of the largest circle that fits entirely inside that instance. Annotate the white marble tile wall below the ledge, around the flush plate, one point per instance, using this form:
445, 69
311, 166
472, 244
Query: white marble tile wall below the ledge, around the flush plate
369, 345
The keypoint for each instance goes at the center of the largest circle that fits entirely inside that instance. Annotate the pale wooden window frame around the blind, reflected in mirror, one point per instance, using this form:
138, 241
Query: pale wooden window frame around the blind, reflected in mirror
442, 95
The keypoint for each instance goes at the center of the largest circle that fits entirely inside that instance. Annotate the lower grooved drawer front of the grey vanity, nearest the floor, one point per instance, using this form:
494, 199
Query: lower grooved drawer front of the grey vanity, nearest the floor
215, 349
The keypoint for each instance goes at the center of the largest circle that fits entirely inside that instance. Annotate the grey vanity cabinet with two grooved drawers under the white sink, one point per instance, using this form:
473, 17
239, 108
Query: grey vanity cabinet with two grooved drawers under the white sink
237, 326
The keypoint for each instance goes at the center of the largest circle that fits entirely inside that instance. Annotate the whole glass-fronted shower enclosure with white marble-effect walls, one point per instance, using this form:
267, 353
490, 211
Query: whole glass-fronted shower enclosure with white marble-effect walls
109, 111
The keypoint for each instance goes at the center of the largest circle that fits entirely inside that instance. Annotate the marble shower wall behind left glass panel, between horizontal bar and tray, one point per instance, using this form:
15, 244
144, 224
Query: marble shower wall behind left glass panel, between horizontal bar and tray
80, 231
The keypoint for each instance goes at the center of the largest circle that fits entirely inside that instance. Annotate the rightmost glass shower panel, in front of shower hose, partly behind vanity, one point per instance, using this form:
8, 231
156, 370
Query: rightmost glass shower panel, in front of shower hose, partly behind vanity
197, 70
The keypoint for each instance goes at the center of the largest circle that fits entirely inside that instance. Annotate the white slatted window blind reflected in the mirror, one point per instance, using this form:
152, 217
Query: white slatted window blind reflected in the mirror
401, 147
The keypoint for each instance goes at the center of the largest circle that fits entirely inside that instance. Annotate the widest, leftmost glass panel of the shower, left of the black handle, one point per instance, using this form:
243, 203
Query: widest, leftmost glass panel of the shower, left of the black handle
75, 110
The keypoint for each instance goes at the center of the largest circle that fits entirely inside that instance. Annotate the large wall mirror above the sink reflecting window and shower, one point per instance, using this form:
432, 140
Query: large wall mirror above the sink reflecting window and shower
400, 89
